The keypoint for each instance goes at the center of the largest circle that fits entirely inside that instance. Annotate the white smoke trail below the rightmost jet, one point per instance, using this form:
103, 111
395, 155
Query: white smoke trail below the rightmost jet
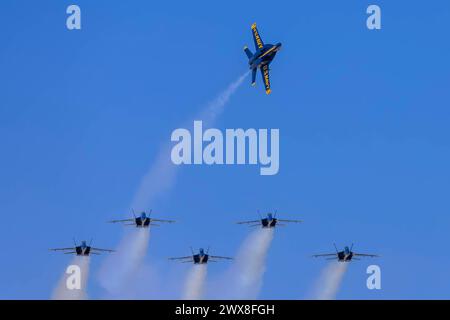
330, 281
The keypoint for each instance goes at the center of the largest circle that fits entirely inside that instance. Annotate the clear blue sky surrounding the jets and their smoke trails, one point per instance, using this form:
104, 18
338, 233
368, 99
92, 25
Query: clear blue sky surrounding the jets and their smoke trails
363, 118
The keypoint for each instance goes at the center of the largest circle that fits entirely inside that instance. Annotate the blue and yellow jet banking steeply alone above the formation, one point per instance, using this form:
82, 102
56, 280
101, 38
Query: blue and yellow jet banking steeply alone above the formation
261, 58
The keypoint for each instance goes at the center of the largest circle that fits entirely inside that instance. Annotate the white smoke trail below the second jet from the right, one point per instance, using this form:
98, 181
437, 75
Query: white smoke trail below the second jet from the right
245, 278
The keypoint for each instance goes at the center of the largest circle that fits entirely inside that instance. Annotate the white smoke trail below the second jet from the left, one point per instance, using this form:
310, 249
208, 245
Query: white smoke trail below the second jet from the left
121, 267
